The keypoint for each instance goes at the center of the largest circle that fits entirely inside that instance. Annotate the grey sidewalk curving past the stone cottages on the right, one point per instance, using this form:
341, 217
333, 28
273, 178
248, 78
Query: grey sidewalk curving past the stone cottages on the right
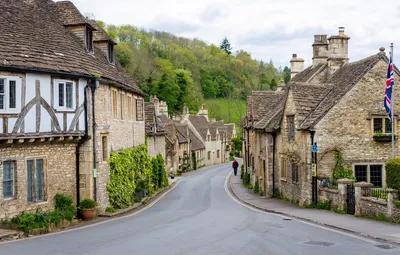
370, 228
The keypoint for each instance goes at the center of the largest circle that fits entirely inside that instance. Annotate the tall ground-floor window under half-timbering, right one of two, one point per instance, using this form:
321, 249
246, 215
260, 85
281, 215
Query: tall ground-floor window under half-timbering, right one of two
36, 188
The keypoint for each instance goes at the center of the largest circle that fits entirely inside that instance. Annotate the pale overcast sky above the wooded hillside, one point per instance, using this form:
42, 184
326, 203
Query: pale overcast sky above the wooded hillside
268, 29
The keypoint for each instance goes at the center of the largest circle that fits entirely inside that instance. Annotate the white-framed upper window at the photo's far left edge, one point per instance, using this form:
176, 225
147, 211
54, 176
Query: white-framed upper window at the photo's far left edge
10, 92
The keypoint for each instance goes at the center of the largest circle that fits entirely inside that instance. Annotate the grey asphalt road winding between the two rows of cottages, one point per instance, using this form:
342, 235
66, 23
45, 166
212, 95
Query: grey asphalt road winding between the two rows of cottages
198, 217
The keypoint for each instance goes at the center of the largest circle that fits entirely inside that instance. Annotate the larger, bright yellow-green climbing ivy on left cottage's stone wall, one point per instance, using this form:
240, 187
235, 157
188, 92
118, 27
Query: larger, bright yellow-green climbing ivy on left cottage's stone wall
130, 170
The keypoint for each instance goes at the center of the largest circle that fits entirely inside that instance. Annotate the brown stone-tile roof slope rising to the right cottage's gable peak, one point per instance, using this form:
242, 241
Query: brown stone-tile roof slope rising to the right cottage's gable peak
342, 80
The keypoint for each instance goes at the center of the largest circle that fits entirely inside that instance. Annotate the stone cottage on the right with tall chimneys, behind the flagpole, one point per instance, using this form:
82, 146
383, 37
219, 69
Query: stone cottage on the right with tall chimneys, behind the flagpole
337, 104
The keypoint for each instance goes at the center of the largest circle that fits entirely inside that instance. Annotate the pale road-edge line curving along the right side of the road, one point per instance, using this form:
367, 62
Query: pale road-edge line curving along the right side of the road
283, 216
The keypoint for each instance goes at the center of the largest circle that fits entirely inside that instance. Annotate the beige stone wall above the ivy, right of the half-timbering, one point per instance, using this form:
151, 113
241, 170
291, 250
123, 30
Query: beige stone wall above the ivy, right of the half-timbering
121, 132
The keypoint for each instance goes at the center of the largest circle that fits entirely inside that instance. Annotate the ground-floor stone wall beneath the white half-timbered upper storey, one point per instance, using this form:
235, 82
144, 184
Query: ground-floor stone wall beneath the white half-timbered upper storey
59, 175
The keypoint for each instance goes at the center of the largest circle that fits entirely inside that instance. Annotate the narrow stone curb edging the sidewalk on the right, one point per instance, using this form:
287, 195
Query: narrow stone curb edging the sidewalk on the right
305, 219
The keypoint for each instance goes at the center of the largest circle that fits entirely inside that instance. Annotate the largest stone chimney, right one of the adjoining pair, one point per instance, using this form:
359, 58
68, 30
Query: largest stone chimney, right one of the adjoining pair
338, 51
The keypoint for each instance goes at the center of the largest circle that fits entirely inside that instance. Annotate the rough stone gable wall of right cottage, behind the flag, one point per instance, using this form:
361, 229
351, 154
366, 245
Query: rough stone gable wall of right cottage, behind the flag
348, 126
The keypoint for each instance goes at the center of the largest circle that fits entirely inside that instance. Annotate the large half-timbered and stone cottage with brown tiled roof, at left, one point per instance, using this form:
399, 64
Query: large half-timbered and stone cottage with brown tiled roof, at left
65, 104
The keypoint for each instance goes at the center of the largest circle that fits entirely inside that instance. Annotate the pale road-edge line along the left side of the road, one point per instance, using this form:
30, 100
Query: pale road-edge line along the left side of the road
99, 223
